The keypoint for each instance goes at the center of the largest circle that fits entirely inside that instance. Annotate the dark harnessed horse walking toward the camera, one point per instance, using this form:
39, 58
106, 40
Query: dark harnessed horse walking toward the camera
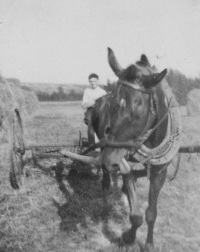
138, 121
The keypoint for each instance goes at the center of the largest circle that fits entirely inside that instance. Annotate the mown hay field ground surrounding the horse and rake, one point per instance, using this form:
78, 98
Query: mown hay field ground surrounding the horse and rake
53, 216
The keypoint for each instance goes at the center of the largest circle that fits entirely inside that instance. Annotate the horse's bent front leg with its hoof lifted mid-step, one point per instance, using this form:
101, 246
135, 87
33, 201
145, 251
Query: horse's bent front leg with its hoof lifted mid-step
129, 188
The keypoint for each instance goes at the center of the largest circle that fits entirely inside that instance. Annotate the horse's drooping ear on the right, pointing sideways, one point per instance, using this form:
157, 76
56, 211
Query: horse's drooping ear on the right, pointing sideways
153, 79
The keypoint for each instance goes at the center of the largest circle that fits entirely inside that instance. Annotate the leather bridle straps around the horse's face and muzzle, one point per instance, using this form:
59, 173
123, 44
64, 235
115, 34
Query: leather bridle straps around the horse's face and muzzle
133, 146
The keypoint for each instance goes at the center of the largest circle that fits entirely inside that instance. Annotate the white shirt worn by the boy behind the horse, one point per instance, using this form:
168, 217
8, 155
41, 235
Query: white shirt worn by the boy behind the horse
91, 95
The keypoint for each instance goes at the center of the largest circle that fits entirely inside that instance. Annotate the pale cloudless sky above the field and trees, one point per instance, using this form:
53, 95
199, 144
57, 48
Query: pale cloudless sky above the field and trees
63, 41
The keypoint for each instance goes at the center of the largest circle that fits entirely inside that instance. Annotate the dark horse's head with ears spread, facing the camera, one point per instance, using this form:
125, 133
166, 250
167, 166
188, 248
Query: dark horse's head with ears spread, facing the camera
131, 108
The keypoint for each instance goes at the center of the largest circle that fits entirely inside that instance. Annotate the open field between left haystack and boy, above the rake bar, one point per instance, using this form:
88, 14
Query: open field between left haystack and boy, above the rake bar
56, 122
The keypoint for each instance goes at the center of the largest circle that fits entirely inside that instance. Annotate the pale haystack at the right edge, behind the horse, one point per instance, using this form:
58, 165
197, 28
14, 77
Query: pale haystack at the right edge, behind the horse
193, 103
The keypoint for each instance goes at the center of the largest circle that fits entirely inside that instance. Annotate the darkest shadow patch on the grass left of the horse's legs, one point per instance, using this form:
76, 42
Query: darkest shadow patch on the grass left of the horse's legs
82, 190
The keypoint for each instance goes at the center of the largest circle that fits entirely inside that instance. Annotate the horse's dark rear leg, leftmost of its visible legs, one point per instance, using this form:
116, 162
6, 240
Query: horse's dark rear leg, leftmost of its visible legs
105, 188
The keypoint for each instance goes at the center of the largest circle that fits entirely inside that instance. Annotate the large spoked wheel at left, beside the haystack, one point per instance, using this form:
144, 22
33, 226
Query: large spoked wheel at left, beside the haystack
17, 151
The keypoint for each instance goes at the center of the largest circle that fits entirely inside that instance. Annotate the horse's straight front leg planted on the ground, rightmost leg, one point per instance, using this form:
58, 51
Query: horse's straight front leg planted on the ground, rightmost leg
157, 179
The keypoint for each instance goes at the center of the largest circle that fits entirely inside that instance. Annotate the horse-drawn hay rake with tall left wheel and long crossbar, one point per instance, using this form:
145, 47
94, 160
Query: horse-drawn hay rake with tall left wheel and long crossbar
40, 151
